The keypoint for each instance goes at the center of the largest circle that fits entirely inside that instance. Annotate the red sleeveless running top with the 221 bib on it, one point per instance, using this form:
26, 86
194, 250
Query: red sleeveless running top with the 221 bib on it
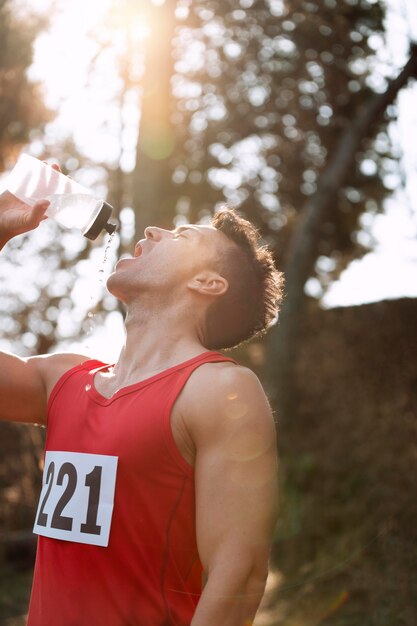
114, 474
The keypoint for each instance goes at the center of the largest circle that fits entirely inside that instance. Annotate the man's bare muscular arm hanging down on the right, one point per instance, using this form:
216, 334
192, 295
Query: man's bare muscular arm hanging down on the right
236, 492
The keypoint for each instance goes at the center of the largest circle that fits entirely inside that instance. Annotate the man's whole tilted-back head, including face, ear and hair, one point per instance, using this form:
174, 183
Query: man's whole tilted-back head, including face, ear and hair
218, 277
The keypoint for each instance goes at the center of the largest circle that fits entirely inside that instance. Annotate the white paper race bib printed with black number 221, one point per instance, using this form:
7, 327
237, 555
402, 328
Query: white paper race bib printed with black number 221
76, 501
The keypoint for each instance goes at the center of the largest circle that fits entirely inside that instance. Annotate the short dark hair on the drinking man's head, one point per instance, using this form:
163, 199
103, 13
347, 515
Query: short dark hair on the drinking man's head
251, 303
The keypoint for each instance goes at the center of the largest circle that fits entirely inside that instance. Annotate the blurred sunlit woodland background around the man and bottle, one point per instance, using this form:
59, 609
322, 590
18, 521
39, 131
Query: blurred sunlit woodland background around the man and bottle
301, 114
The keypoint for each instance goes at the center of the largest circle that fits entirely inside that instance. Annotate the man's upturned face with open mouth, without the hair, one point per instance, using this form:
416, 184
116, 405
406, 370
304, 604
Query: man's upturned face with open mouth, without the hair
165, 260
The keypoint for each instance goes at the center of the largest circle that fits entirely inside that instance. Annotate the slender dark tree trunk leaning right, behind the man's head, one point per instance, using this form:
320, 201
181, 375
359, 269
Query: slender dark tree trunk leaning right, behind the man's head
303, 249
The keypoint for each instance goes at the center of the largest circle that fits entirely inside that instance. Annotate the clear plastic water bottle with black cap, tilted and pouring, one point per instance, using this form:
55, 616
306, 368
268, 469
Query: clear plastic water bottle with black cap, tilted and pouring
71, 204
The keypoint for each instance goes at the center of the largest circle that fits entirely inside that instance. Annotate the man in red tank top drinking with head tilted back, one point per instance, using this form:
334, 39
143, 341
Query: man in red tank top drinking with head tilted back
163, 466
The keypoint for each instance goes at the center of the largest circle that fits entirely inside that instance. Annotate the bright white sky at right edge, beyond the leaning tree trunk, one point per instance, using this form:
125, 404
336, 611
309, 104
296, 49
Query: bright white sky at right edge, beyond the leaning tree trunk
390, 271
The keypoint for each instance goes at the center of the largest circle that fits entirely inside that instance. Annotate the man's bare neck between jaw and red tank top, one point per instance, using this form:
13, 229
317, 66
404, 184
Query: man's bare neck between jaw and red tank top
156, 340
